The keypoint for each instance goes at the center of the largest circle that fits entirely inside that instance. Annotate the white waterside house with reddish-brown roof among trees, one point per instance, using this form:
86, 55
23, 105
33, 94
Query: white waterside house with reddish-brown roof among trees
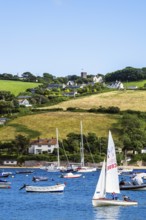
40, 146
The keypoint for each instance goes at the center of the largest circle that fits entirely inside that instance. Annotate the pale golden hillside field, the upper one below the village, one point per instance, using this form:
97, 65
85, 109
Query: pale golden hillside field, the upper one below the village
127, 99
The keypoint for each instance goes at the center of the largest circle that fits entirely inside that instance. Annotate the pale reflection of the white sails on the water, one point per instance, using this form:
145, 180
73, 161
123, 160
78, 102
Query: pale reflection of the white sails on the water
111, 212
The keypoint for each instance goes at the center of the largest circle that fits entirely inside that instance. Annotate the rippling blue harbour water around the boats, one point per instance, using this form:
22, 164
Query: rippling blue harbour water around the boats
73, 204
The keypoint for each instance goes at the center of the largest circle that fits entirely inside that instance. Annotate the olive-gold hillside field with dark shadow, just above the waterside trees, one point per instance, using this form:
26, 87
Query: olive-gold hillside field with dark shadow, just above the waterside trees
44, 125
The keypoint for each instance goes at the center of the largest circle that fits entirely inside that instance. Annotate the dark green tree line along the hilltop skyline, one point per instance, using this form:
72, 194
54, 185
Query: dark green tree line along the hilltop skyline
124, 75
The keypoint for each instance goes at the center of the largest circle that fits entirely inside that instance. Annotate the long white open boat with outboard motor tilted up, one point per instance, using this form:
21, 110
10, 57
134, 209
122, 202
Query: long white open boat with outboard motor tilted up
43, 189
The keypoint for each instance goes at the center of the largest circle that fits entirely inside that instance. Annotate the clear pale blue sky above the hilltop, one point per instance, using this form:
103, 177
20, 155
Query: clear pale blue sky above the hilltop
65, 37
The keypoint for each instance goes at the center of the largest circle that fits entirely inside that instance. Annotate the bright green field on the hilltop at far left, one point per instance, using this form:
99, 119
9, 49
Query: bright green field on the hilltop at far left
15, 87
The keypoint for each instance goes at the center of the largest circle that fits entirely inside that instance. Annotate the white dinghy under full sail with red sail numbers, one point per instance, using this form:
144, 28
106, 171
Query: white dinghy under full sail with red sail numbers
108, 181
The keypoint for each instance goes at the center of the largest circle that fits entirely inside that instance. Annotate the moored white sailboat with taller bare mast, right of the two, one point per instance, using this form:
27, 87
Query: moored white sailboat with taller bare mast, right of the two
83, 168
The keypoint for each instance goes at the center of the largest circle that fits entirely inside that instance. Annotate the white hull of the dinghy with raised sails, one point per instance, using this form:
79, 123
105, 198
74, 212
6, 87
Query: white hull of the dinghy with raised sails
111, 202
